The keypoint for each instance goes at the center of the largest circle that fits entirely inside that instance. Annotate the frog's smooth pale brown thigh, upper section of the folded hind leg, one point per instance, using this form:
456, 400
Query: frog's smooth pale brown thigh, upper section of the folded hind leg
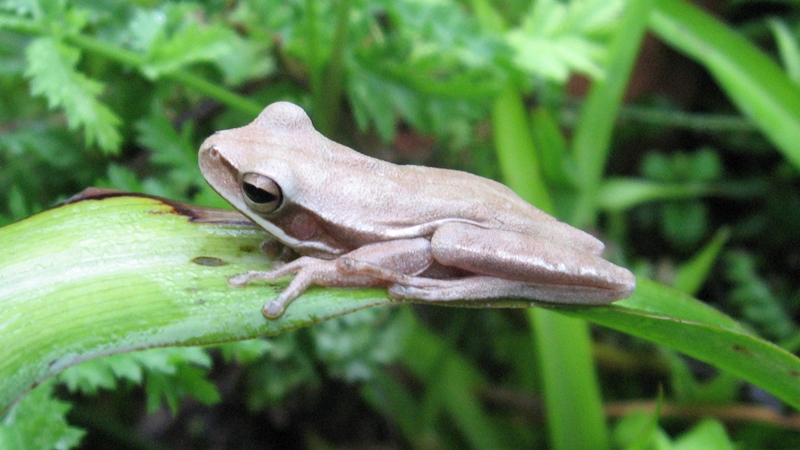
518, 257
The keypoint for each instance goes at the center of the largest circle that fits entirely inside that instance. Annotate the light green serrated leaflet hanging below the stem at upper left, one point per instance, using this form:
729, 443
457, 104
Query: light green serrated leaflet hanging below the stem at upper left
51, 69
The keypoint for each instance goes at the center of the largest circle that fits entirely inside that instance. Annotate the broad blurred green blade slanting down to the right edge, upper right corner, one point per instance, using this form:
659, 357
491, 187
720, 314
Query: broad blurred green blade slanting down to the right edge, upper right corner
752, 80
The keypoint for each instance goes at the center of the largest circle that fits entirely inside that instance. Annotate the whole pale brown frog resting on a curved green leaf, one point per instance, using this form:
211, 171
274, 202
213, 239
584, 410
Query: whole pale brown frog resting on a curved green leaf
425, 233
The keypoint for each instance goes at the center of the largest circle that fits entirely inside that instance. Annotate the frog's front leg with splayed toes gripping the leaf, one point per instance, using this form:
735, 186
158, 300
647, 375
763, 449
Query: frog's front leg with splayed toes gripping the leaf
409, 256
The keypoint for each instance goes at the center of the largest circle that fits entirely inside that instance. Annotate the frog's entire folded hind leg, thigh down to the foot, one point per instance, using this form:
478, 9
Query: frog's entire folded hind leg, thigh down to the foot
509, 264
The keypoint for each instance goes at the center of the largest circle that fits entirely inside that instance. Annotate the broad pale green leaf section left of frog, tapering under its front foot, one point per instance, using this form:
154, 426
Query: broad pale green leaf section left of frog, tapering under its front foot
122, 273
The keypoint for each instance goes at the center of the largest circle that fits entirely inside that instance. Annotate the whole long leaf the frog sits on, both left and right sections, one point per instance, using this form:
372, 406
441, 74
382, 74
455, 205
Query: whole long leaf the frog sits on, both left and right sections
123, 273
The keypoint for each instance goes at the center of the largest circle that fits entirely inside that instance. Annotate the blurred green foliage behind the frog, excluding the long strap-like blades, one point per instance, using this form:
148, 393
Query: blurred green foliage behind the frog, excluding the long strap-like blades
120, 94
